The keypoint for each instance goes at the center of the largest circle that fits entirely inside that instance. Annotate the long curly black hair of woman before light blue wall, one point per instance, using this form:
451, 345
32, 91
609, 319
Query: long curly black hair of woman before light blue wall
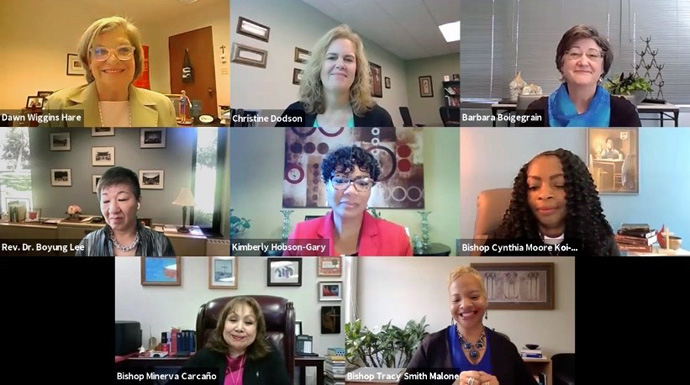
584, 221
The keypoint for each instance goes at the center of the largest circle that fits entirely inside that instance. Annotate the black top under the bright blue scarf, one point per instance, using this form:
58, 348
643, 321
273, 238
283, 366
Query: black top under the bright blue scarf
623, 113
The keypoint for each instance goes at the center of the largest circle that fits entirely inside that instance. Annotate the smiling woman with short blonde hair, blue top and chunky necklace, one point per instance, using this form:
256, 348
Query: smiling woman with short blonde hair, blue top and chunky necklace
476, 354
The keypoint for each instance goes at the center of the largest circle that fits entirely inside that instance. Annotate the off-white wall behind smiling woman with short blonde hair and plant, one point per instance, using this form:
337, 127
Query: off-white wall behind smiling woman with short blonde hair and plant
403, 289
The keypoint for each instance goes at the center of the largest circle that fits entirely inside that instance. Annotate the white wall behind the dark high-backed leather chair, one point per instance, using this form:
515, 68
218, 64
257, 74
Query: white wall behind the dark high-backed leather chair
158, 308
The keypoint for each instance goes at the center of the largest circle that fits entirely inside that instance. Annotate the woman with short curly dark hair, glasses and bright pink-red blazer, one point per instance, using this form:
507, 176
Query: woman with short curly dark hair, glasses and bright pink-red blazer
348, 229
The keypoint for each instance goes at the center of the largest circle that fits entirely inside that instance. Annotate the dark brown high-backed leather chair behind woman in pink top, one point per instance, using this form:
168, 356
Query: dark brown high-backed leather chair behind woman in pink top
280, 324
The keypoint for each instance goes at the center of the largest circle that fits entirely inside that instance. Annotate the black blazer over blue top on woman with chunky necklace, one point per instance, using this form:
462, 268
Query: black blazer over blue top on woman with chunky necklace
434, 354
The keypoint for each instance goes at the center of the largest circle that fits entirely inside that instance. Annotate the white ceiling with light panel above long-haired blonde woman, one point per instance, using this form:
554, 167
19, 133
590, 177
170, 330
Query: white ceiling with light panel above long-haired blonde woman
406, 28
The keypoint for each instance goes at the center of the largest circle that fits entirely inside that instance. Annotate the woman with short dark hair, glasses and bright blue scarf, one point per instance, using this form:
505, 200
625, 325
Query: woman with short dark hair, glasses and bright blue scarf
583, 58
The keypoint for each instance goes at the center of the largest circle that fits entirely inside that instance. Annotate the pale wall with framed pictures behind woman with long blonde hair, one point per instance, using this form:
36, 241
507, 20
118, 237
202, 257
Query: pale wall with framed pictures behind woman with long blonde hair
296, 24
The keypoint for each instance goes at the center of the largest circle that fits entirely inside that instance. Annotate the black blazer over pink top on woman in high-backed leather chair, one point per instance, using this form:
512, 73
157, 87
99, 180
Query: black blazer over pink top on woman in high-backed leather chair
269, 370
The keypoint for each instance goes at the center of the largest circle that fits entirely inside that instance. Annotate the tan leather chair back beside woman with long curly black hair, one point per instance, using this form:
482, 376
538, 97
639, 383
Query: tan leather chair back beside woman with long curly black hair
491, 205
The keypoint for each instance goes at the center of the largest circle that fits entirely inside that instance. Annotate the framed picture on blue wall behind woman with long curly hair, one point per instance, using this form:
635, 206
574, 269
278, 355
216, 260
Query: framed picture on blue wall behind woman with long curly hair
613, 159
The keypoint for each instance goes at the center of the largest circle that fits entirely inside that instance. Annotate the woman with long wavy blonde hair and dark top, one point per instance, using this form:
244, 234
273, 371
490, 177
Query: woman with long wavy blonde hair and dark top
335, 90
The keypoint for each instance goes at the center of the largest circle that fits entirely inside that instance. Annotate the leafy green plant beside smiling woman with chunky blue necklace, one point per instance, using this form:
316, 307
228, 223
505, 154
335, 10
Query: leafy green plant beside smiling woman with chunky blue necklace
390, 347
